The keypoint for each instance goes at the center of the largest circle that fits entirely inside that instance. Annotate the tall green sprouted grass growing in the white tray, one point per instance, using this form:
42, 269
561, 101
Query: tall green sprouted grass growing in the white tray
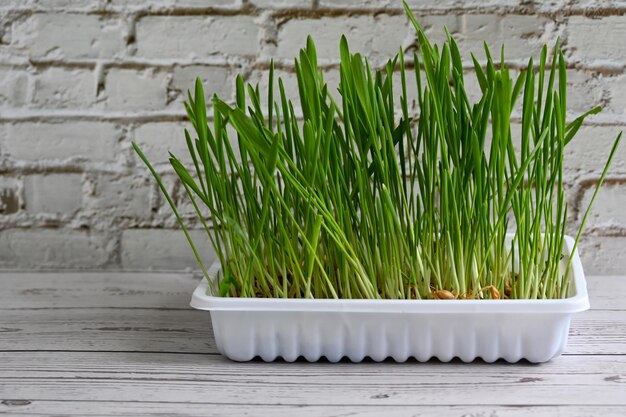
357, 199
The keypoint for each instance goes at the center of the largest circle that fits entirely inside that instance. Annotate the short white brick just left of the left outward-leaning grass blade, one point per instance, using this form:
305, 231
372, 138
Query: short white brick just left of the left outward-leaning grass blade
113, 195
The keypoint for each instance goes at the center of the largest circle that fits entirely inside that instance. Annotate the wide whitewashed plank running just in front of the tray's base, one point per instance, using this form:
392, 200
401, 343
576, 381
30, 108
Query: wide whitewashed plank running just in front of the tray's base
571, 380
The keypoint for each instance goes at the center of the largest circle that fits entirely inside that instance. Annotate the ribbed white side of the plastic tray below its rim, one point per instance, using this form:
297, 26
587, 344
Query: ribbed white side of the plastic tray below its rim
243, 335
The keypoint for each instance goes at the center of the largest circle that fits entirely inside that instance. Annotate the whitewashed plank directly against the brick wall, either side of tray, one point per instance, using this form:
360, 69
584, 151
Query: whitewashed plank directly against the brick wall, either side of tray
172, 290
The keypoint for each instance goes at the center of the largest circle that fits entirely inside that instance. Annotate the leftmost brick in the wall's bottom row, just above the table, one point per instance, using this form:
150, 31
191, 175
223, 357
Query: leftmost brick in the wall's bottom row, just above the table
53, 248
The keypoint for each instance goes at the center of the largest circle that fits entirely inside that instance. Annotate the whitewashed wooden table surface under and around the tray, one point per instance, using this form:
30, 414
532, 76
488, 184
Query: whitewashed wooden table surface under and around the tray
127, 344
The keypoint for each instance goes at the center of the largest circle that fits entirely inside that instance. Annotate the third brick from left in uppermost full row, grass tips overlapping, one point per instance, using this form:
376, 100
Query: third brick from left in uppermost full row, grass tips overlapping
377, 38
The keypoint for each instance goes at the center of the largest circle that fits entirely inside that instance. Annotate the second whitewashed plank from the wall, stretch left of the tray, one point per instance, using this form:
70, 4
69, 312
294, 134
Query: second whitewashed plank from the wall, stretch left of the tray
107, 330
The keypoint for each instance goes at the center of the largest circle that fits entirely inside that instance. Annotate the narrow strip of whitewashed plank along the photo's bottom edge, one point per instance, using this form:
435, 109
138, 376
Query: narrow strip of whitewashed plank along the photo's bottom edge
134, 409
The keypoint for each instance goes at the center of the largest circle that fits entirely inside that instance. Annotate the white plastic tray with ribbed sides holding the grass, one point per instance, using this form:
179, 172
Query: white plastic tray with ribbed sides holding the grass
535, 330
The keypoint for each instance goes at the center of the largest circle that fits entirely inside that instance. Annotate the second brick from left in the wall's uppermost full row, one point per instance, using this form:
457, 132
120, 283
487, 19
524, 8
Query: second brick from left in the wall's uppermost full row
188, 37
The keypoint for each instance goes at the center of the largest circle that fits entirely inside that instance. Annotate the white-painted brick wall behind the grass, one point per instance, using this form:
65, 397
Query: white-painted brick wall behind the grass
80, 79
